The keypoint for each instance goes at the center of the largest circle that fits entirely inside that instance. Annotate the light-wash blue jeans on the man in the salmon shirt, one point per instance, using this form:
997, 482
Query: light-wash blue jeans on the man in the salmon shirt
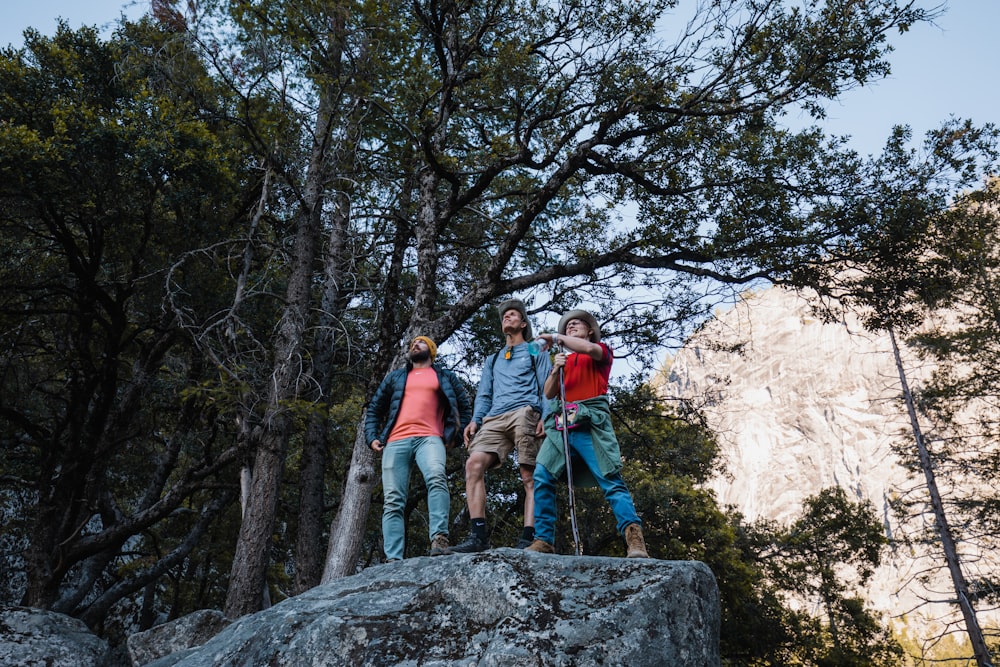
398, 455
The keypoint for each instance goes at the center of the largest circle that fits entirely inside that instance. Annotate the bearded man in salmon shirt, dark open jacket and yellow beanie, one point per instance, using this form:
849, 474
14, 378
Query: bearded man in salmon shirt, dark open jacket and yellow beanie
416, 412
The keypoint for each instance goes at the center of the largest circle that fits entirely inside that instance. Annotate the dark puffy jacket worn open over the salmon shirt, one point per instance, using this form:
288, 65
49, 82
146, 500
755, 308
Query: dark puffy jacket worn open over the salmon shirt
384, 406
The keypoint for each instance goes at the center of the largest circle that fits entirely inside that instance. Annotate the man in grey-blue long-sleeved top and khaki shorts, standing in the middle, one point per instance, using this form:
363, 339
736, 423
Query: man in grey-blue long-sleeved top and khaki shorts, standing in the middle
508, 413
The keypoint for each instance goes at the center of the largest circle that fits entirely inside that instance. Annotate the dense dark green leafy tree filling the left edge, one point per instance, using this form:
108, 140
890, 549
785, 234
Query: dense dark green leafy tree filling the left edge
108, 173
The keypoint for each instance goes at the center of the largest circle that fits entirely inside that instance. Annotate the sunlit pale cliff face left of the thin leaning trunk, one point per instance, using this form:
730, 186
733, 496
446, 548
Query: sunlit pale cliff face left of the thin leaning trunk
806, 405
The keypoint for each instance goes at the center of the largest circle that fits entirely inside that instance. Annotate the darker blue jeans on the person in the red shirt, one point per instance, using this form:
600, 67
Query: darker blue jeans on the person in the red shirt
617, 494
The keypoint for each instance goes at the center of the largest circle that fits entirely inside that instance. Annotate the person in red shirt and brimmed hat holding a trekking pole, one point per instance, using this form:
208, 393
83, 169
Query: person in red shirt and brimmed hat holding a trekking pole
592, 441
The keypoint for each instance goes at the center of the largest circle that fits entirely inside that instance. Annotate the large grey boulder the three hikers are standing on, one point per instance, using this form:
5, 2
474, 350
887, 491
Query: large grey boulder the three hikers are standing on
499, 607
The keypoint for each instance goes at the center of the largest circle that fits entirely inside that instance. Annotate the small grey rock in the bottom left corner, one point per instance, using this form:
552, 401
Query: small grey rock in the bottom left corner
37, 638
